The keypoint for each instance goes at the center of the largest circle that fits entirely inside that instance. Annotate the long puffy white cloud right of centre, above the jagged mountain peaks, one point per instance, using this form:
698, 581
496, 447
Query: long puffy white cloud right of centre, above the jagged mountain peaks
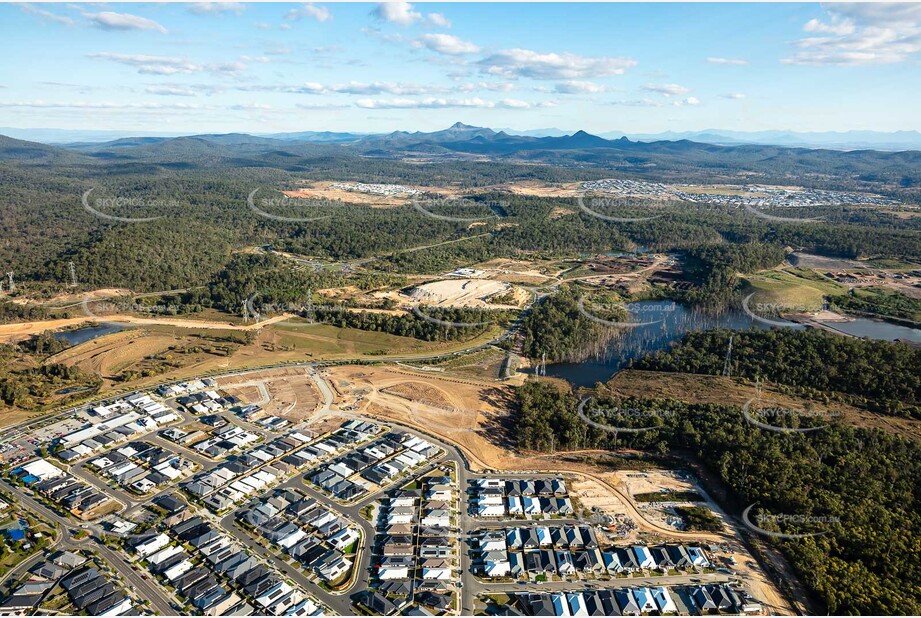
536, 65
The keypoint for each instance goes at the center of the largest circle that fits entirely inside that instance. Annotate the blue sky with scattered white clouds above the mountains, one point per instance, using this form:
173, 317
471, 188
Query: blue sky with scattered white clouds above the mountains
221, 67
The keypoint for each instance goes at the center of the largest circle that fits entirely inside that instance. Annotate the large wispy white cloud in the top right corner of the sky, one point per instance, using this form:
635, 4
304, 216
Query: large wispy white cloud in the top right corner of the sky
861, 34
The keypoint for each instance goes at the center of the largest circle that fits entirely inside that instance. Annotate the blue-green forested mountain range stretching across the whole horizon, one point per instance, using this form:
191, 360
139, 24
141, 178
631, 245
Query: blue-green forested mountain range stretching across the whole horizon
304, 152
